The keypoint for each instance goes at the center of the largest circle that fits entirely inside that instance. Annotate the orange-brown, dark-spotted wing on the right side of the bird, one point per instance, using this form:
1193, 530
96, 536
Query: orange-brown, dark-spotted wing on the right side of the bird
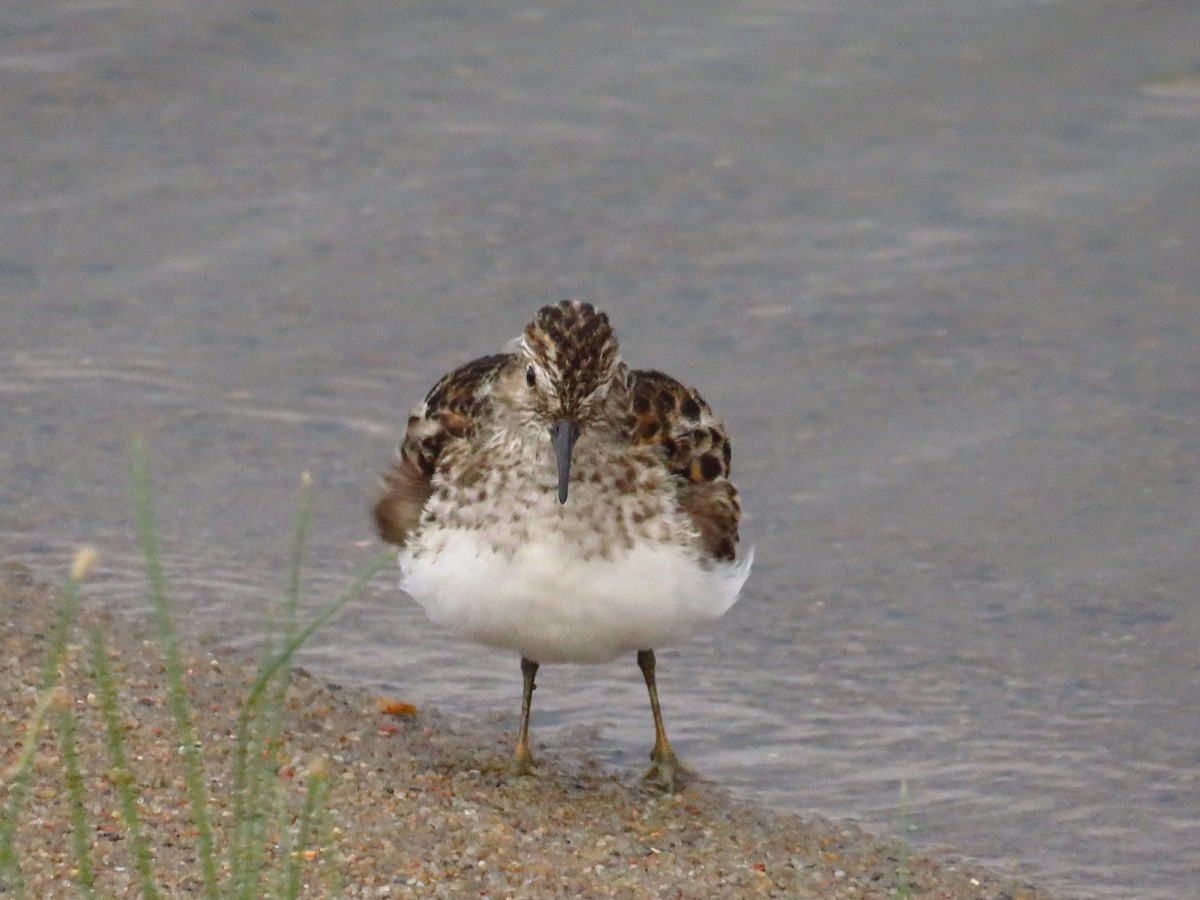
695, 448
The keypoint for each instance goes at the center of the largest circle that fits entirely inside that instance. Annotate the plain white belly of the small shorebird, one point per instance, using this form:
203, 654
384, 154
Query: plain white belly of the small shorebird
551, 604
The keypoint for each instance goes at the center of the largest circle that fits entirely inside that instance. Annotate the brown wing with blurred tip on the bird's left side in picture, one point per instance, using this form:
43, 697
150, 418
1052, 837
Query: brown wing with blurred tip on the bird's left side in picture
449, 411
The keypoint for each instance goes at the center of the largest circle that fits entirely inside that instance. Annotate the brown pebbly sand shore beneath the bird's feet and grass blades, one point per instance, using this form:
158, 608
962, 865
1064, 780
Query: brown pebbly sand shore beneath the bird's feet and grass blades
419, 803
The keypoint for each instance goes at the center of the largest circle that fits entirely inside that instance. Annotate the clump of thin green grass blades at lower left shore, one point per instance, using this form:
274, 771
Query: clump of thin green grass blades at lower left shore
265, 801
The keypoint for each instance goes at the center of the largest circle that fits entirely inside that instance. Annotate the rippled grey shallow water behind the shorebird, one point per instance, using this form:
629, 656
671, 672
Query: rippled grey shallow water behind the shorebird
937, 265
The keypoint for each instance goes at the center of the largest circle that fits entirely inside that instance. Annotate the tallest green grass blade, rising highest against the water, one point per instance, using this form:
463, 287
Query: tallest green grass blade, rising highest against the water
177, 695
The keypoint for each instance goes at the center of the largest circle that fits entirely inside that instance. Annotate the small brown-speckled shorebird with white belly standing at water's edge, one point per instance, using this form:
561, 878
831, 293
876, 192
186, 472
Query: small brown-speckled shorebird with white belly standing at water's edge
555, 502
